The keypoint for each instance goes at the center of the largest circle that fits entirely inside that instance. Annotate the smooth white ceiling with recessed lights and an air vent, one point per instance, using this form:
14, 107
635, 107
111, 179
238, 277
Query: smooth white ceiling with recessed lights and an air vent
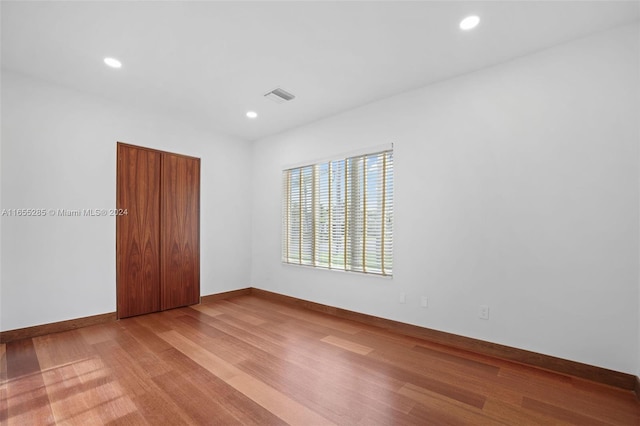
210, 62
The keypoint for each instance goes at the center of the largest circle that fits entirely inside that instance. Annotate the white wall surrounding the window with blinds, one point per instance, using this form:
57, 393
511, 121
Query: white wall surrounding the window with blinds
516, 187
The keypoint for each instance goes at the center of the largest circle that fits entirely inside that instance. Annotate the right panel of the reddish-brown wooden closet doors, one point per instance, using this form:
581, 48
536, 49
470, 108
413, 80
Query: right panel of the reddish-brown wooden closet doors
180, 231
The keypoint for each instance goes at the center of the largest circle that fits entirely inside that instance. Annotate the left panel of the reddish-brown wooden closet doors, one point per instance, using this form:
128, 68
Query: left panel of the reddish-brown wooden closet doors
138, 232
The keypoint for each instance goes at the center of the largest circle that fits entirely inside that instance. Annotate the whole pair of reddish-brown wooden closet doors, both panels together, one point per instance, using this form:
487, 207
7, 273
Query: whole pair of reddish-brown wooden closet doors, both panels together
158, 239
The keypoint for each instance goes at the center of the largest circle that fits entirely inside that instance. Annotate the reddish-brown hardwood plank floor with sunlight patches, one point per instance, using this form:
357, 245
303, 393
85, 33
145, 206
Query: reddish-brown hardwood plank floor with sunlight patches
248, 360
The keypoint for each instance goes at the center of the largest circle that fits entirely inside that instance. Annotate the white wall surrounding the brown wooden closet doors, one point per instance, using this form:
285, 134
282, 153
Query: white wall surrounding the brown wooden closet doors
59, 151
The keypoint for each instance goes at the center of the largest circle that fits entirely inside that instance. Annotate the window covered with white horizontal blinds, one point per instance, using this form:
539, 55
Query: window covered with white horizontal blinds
339, 214
